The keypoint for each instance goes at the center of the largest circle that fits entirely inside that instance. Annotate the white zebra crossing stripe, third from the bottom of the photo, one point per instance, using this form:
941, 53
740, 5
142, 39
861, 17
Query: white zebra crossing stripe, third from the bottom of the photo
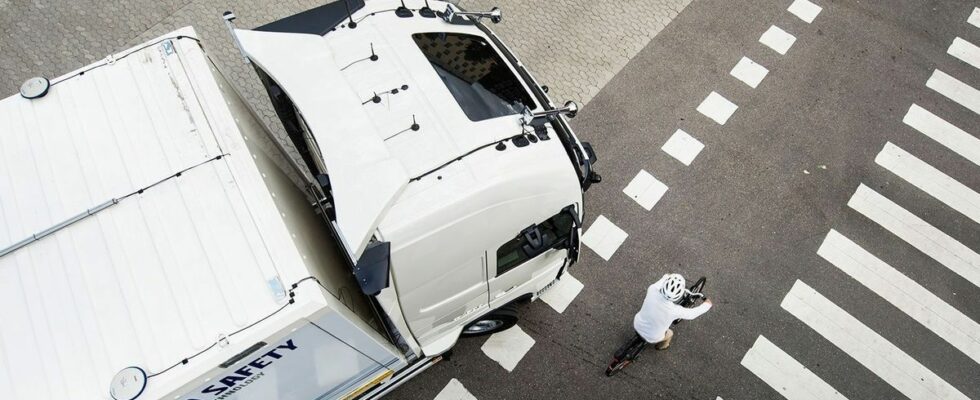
906, 295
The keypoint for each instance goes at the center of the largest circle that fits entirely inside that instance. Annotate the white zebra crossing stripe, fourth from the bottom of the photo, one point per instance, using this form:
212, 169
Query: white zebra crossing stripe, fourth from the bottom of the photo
918, 233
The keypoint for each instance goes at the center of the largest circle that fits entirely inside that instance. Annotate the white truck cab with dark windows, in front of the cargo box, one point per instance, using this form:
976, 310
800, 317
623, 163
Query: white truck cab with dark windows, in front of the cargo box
434, 151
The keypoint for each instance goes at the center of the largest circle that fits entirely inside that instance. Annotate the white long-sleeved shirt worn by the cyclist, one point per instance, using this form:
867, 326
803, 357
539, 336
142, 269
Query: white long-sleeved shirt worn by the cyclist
658, 313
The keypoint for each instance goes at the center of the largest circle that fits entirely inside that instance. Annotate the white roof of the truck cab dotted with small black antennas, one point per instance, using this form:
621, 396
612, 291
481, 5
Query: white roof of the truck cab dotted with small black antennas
373, 158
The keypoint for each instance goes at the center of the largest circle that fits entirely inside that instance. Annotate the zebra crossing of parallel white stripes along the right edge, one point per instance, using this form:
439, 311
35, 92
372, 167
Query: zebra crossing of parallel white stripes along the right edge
886, 360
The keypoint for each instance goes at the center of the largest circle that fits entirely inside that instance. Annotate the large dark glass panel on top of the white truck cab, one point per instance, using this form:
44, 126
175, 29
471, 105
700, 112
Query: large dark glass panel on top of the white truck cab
475, 74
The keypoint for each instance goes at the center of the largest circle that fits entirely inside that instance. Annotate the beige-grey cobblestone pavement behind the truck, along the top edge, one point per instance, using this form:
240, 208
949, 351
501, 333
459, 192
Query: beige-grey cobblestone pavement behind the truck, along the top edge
574, 46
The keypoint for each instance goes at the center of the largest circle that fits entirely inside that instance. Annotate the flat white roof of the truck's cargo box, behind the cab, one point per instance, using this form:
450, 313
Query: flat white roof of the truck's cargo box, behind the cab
136, 227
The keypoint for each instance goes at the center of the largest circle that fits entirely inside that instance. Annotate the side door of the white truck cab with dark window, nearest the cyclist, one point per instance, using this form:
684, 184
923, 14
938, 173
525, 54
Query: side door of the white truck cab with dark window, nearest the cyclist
535, 251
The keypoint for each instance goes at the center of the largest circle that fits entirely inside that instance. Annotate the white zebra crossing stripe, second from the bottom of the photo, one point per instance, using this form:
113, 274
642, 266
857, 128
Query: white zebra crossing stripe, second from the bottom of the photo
865, 346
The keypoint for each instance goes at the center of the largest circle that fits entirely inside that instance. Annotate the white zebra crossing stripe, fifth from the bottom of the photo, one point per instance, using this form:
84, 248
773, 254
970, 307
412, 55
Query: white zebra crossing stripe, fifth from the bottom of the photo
930, 180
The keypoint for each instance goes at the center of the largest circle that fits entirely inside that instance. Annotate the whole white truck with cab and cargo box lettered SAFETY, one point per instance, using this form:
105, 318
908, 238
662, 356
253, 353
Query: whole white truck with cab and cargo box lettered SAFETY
151, 247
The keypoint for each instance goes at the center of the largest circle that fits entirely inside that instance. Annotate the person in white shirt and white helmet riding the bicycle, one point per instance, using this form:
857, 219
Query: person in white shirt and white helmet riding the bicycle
660, 310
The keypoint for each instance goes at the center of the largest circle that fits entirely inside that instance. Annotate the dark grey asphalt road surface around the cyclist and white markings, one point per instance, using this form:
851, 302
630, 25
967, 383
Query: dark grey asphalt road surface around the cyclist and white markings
753, 208
